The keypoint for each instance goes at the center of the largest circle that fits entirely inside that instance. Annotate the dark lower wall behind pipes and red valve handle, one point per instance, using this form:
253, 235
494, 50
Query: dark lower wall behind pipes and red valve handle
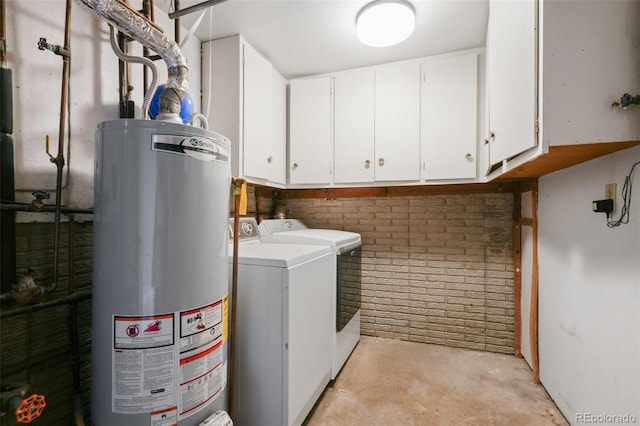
36, 345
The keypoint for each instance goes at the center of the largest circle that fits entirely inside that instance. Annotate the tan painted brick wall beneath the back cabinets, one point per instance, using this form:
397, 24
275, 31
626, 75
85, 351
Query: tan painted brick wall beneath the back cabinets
436, 269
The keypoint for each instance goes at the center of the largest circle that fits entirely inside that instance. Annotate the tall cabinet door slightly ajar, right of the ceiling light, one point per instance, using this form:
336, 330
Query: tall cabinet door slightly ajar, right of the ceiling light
511, 58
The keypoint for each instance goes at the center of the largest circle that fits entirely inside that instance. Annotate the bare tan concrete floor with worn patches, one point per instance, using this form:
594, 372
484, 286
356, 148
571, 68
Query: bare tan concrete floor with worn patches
391, 382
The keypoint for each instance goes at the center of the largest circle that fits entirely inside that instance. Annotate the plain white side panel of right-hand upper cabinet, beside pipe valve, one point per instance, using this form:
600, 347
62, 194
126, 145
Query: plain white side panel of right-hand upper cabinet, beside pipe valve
590, 58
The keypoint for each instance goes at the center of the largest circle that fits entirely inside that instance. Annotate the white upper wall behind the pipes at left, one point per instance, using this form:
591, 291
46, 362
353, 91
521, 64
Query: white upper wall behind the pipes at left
93, 92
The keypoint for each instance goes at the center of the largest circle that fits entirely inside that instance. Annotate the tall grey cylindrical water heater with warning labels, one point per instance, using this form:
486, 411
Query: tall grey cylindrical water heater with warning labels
160, 280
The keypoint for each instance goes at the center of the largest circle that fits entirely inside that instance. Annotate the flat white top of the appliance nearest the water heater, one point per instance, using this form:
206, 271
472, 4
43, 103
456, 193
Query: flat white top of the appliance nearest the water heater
279, 255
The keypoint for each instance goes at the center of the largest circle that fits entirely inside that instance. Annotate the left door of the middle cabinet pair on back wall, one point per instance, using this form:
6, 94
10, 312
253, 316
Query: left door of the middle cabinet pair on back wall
353, 126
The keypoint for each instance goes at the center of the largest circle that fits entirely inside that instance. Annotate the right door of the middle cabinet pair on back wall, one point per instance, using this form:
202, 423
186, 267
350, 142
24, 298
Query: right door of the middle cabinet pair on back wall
397, 122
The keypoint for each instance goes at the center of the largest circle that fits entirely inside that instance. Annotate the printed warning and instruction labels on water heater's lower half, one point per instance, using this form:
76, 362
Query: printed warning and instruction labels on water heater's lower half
169, 365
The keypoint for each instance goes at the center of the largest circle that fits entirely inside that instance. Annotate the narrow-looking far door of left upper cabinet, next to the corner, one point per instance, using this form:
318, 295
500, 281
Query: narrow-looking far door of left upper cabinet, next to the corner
277, 160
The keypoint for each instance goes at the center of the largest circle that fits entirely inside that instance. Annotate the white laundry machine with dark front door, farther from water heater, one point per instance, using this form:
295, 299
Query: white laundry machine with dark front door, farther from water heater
345, 282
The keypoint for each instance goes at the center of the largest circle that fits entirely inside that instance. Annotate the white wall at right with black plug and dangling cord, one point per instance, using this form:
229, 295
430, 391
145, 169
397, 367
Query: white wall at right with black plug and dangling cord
589, 295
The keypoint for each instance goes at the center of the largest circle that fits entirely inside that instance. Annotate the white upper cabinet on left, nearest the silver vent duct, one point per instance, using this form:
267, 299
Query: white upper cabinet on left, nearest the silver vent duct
246, 98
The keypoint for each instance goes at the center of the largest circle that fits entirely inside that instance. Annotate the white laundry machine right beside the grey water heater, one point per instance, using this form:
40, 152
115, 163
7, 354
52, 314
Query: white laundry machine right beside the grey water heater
283, 330
